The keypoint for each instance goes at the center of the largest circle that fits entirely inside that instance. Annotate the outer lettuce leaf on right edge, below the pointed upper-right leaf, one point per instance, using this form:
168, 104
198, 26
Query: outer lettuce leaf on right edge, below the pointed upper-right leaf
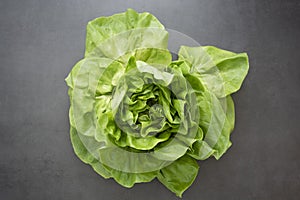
217, 122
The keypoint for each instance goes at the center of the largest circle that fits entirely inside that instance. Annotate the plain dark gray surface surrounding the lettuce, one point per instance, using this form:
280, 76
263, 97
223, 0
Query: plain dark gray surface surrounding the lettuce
41, 40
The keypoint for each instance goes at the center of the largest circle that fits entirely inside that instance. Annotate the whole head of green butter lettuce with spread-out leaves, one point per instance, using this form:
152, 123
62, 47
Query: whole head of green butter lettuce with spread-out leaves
136, 115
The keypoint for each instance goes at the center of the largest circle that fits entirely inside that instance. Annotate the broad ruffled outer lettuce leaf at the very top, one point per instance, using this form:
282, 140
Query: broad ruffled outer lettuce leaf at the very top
119, 34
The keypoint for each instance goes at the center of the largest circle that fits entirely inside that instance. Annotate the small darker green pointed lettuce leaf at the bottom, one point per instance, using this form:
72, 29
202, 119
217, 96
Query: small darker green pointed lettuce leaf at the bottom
178, 176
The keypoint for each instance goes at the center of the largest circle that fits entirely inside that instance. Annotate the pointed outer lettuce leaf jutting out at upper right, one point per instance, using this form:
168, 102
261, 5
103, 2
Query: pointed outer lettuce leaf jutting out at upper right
231, 68
